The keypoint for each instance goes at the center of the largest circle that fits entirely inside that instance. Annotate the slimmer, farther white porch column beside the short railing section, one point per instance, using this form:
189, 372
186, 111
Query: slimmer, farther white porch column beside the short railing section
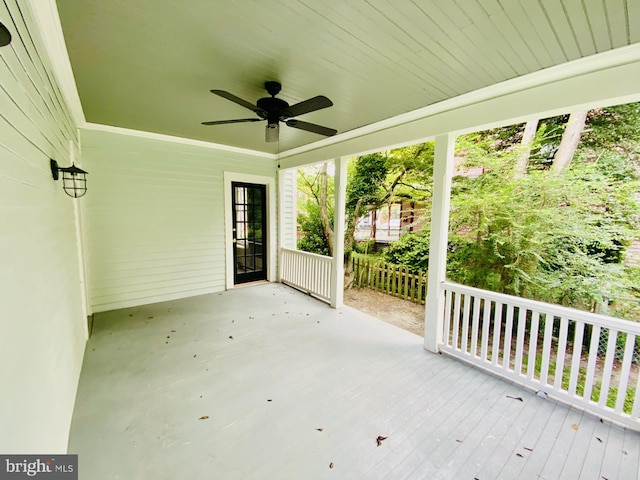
337, 272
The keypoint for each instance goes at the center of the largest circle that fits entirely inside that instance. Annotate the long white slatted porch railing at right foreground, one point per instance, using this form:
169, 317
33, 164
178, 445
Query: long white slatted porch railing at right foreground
581, 358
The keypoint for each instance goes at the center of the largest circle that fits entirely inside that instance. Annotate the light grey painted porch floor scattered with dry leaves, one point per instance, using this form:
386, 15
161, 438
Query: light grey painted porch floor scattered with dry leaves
264, 382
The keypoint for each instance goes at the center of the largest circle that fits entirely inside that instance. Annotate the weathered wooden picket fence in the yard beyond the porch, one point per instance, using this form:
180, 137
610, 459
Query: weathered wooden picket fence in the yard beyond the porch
390, 279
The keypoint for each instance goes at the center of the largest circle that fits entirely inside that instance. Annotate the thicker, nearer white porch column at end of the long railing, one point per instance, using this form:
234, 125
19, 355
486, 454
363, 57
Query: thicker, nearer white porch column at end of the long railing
434, 308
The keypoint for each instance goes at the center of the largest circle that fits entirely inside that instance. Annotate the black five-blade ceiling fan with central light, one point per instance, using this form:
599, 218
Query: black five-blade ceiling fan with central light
275, 110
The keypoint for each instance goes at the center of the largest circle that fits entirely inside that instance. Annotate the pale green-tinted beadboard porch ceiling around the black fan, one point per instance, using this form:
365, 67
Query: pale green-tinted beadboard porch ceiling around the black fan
149, 64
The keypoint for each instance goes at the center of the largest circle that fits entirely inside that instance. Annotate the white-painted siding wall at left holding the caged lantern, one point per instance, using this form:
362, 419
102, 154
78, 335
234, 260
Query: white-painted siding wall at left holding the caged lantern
42, 321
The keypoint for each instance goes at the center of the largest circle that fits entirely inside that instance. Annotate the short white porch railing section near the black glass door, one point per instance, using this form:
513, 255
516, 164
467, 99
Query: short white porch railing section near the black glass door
308, 272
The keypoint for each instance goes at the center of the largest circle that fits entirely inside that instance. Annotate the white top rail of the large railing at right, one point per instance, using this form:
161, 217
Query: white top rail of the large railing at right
549, 308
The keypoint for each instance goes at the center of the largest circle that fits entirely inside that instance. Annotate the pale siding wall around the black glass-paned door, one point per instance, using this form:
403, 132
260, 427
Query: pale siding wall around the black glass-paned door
155, 217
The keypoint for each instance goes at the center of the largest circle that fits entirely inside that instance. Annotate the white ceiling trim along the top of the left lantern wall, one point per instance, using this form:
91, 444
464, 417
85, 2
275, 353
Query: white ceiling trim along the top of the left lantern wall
45, 14
